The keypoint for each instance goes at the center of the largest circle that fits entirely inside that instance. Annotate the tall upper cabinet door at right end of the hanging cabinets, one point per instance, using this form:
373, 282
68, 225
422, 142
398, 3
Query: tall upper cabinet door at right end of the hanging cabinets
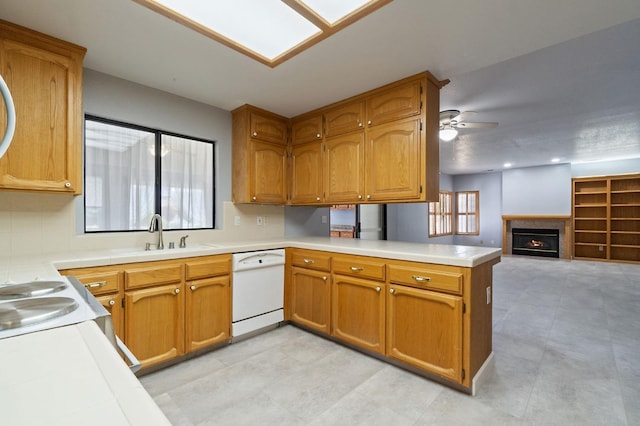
394, 162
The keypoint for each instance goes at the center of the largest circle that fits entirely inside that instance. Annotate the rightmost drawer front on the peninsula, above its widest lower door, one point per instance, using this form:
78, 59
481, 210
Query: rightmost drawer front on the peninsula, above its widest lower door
450, 282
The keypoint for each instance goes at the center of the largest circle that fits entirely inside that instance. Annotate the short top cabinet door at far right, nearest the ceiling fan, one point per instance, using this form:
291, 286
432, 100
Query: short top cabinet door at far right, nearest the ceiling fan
394, 103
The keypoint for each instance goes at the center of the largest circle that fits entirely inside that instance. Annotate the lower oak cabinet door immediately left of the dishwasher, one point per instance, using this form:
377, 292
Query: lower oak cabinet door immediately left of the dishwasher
207, 312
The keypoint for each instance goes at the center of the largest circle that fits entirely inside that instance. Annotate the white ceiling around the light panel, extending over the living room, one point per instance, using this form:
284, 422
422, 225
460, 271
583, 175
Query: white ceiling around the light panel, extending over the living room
561, 76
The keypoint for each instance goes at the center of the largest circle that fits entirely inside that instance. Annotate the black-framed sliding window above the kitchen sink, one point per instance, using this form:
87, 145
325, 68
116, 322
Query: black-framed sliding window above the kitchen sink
133, 172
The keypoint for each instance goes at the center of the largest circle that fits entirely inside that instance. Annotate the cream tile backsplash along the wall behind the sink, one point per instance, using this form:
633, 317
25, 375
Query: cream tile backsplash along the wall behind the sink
46, 223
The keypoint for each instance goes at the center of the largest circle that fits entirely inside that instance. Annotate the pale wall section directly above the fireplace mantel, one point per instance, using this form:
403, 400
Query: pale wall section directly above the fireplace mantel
544, 190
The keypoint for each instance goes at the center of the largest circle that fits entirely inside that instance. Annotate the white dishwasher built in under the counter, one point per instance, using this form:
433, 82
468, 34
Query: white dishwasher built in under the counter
258, 290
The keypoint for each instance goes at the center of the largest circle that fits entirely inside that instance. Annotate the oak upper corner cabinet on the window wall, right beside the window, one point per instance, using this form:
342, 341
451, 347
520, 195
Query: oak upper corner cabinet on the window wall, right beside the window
259, 156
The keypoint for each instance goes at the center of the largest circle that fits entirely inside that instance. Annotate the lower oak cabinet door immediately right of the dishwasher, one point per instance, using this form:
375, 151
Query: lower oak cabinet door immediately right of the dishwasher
310, 299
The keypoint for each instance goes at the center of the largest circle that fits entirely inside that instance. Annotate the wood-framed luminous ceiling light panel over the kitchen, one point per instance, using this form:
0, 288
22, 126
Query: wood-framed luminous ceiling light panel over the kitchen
270, 31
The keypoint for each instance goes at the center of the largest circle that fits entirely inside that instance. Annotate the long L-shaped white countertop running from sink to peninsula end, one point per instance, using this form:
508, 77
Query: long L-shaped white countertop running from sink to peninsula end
26, 268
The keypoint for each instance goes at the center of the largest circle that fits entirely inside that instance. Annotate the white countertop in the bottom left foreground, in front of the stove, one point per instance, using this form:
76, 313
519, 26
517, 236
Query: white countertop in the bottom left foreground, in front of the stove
70, 376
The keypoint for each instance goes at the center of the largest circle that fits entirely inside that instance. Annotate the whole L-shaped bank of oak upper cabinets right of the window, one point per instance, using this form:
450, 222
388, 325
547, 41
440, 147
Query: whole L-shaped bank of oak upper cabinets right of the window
380, 147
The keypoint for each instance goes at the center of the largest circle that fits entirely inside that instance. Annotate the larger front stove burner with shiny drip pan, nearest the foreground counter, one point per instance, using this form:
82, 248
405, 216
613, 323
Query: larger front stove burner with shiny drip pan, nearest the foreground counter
24, 312
